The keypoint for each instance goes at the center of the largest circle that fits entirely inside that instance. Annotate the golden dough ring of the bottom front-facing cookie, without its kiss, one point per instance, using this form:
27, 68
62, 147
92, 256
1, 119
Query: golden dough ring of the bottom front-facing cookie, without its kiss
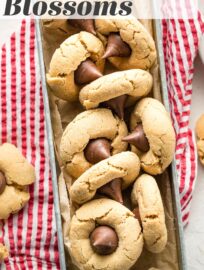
110, 213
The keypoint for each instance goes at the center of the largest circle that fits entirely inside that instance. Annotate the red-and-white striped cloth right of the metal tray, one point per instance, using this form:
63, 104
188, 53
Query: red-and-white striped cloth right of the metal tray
180, 44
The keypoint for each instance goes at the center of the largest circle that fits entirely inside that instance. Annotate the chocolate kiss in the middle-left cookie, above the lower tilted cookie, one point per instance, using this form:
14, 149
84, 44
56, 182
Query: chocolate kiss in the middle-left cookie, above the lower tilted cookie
97, 150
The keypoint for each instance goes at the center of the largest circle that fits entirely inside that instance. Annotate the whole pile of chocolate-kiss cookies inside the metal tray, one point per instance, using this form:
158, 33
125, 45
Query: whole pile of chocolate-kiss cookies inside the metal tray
120, 142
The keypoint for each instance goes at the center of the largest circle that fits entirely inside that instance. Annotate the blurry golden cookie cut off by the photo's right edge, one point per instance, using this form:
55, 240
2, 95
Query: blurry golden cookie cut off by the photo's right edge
200, 137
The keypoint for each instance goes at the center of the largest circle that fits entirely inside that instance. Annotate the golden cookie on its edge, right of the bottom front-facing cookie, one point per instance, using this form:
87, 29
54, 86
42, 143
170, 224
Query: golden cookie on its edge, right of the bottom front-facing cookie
146, 194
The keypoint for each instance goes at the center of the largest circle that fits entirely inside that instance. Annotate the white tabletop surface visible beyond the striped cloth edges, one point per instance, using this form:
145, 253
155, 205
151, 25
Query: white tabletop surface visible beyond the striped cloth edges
194, 233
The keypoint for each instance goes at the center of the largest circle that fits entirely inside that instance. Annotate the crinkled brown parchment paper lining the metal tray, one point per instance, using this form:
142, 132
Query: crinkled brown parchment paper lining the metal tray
54, 32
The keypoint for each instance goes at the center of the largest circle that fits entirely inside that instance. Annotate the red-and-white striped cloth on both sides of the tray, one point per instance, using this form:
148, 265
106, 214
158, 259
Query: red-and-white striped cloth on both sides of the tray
31, 234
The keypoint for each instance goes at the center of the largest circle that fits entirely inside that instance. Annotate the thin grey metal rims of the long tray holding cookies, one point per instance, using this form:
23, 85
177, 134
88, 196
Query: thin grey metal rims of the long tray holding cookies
175, 190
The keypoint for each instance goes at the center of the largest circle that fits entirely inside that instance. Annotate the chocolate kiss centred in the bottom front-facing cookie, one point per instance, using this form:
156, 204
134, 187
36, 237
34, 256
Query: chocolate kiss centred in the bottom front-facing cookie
104, 240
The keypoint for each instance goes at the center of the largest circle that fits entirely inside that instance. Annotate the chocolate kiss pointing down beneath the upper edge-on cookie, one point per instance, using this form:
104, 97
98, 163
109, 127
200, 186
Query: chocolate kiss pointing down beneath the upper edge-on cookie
117, 105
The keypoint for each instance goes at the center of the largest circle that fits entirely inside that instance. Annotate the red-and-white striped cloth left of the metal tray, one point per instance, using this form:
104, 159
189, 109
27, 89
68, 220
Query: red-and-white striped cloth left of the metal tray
30, 235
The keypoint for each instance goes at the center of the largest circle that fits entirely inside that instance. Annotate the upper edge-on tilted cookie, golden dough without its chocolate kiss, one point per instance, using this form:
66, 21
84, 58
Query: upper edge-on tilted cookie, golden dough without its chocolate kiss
135, 83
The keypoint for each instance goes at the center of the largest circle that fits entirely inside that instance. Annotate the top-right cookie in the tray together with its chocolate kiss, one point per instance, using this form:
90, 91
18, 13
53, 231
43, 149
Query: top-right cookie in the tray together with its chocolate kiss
129, 44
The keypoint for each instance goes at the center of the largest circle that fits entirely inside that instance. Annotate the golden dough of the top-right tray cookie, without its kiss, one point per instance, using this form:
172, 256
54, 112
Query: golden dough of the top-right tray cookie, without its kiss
136, 36
